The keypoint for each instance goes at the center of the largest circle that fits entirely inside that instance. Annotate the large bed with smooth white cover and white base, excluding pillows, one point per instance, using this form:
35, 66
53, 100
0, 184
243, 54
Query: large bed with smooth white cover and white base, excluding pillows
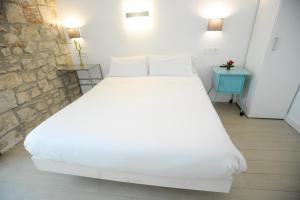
158, 130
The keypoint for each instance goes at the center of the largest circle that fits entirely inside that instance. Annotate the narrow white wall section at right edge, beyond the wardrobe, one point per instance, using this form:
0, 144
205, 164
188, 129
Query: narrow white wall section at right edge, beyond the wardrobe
293, 117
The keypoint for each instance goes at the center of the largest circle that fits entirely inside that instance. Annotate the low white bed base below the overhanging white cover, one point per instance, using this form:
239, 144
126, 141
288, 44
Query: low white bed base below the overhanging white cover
213, 185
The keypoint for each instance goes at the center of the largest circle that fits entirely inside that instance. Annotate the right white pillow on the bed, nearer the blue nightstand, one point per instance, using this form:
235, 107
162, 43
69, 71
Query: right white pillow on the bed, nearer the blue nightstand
170, 65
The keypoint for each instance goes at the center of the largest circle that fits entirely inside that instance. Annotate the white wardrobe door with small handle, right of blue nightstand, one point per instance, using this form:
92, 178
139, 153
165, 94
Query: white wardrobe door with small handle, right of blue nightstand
280, 73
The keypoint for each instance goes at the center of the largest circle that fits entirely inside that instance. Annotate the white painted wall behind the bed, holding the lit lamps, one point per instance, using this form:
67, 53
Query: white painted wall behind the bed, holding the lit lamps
178, 27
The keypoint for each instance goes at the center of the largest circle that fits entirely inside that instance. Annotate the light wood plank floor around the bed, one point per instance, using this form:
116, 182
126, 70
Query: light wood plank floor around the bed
271, 148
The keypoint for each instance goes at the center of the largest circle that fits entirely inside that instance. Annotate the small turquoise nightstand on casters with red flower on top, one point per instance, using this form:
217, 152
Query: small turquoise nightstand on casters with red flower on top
230, 81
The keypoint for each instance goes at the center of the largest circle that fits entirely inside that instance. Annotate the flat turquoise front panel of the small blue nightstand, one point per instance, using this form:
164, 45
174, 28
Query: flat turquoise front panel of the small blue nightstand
231, 83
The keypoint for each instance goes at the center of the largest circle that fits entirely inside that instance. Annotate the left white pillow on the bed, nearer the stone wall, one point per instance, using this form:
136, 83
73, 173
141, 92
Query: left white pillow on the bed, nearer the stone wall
129, 66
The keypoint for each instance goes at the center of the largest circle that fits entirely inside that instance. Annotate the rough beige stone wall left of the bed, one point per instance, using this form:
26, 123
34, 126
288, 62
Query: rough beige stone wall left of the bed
32, 47
